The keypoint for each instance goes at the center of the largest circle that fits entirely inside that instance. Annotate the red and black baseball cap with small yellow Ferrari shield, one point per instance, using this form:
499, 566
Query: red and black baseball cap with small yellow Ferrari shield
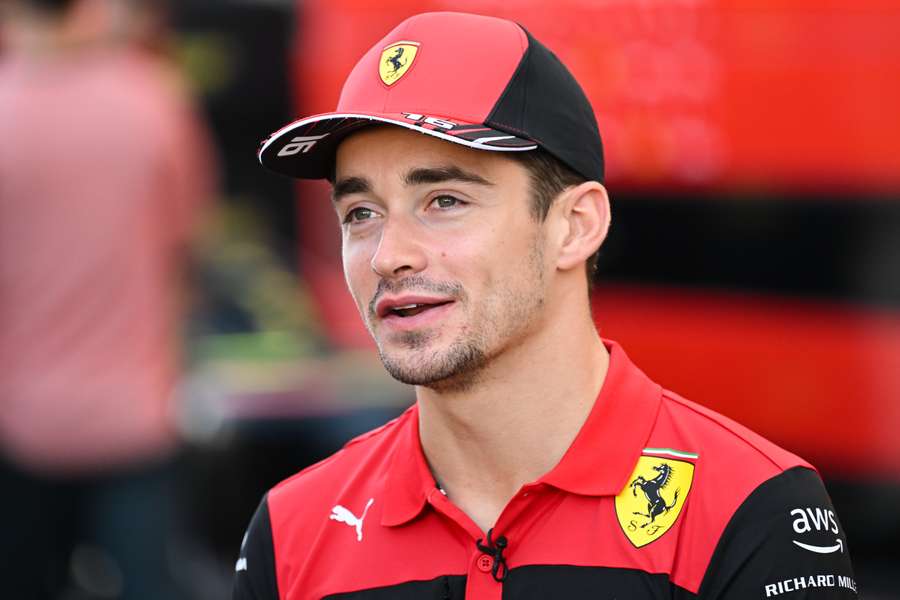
479, 81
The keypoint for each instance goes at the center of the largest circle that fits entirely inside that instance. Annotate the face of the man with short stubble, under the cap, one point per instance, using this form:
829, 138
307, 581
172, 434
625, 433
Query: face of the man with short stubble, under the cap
441, 253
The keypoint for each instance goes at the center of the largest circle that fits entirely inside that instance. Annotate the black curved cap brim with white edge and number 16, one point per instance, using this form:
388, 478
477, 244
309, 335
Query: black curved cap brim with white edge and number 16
306, 148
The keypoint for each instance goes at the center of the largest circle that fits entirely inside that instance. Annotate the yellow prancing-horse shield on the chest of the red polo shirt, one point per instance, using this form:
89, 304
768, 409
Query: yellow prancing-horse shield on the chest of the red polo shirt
651, 502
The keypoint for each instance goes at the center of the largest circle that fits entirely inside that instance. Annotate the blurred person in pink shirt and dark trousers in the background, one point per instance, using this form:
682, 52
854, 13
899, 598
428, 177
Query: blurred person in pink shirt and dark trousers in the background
104, 171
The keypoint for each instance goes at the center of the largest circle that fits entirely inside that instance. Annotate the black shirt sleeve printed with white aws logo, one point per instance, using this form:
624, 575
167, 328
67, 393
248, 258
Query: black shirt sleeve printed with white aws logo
785, 541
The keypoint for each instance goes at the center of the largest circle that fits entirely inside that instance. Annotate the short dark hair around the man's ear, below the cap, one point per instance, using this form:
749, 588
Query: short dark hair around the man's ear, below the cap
549, 178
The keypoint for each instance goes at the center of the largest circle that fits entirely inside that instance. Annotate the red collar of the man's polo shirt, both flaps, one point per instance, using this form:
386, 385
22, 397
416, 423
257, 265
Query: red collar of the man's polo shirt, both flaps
598, 463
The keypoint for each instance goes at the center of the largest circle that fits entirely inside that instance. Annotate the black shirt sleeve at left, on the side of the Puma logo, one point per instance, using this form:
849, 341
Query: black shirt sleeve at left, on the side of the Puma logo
254, 572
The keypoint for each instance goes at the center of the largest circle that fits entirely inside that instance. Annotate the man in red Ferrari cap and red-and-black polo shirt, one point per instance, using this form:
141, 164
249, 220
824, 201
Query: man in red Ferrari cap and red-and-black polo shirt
537, 462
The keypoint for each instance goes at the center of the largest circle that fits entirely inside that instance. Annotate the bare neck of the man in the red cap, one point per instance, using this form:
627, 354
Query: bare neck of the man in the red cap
485, 441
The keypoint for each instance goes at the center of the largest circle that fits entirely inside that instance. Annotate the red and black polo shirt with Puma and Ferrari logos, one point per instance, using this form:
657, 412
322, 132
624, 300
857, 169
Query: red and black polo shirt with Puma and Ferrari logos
656, 498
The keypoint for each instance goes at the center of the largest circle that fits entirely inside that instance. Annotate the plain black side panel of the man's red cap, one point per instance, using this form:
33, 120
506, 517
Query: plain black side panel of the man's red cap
544, 102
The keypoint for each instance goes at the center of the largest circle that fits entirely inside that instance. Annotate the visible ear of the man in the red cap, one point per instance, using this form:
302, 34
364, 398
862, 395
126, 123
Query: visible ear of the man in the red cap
585, 211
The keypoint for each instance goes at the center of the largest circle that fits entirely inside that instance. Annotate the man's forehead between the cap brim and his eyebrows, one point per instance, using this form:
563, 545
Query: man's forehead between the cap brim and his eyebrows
381, 150
